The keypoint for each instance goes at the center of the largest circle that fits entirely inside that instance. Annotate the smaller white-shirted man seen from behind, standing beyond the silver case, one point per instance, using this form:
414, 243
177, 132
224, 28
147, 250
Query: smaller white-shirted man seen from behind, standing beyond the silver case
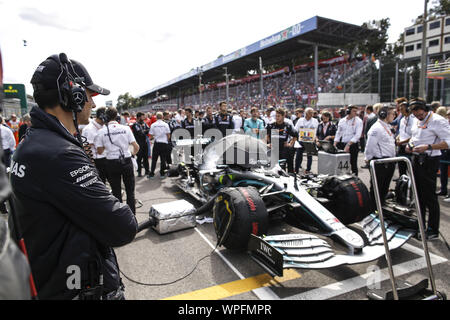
161, 132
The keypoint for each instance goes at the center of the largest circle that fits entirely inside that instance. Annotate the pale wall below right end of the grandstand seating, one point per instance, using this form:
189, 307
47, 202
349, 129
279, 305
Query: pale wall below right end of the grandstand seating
343, 99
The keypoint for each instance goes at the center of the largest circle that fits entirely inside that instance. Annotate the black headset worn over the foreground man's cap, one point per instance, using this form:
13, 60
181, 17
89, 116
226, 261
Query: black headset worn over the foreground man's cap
72, 95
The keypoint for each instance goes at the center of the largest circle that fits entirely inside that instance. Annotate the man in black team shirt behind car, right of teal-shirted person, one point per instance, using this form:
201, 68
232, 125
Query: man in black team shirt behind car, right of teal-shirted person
279, 132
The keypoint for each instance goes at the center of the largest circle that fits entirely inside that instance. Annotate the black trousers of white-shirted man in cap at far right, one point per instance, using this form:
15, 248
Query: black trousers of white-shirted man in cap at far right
425, 175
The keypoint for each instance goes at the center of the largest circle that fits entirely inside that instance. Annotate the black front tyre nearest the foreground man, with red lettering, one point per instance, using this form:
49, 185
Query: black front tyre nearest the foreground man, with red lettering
238, 213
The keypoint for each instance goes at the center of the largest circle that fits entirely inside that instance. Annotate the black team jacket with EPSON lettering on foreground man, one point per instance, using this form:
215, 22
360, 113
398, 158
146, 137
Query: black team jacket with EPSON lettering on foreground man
66, 214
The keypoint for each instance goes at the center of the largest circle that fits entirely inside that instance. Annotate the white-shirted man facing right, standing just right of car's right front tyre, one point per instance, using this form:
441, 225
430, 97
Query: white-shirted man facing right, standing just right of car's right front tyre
381, 145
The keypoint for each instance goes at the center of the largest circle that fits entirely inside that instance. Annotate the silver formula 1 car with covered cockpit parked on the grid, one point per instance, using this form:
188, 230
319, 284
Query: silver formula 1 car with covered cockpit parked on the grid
245, 193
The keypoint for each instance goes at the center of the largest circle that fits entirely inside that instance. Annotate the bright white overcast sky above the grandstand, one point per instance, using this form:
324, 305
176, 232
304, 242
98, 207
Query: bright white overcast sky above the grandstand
134, 46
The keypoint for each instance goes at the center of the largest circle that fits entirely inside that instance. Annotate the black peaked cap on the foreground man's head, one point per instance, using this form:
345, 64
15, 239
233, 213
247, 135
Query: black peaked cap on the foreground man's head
46, 75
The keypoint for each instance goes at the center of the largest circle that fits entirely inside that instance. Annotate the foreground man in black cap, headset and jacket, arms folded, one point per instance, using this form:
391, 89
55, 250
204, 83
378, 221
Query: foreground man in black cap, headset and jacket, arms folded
66, 215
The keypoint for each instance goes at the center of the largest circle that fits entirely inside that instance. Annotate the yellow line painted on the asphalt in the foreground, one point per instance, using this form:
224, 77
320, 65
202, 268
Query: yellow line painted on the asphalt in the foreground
236, 287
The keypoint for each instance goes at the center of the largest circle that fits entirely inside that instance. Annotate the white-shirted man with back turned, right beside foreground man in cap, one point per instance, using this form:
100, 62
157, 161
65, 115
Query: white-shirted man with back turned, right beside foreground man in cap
115, 139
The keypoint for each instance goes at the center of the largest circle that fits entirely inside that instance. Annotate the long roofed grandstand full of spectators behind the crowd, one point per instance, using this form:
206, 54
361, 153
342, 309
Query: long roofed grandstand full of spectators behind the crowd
233, 78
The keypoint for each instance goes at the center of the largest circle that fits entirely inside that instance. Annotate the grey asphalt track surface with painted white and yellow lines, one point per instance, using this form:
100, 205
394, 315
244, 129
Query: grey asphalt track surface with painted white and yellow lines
159, 259
